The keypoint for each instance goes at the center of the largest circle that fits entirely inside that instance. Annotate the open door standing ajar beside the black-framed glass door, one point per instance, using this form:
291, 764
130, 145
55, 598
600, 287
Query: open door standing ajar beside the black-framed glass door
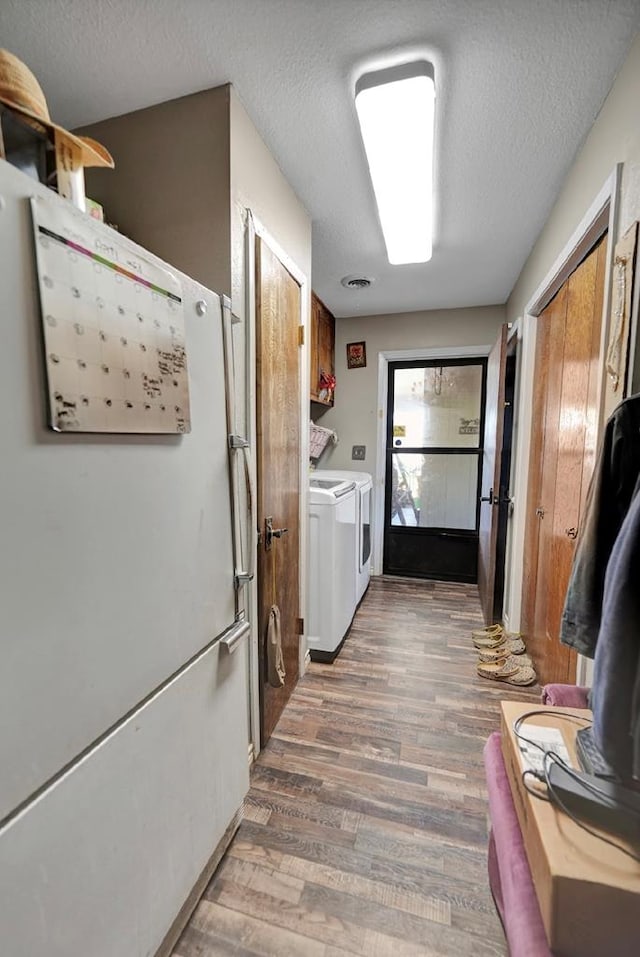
490, 501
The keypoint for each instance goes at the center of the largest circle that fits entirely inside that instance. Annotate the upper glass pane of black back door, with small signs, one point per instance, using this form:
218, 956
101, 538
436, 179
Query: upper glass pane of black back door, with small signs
437, 406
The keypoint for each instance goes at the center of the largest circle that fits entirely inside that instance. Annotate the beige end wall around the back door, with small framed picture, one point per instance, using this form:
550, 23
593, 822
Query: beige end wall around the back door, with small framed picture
355, 414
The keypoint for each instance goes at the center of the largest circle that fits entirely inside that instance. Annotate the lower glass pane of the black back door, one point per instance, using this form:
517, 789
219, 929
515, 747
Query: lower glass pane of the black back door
434, 490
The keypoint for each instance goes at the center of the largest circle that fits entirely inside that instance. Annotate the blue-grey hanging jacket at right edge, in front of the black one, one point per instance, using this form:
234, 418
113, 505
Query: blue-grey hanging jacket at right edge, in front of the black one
615, 696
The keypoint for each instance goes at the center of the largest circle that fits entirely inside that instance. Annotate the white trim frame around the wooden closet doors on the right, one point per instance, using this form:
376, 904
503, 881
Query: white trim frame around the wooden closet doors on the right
601, 217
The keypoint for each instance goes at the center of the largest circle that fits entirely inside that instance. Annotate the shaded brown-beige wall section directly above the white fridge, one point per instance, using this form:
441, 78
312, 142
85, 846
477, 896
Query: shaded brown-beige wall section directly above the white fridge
170, 188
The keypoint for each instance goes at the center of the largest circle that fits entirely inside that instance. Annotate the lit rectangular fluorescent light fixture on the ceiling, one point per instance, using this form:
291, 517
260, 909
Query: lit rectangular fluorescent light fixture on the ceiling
396, 110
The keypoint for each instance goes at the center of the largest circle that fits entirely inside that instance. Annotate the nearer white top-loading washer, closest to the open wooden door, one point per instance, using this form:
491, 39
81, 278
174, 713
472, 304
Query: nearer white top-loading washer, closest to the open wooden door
333, 514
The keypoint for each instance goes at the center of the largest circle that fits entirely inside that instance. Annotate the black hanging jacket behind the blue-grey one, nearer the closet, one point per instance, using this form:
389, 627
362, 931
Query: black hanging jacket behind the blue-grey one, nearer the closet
612, 489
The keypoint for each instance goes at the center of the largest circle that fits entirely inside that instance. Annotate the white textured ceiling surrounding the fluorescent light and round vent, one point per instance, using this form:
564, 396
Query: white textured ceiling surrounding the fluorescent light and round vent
519, 84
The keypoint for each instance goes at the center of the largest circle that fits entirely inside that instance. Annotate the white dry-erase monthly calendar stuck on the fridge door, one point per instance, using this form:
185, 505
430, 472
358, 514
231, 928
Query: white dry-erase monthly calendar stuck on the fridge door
113, 328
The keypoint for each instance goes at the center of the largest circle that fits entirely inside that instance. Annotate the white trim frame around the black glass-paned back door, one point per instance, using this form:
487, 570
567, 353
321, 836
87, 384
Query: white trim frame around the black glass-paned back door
384, 358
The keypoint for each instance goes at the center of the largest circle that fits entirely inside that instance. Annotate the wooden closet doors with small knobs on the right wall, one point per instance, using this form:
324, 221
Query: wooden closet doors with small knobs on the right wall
562, 457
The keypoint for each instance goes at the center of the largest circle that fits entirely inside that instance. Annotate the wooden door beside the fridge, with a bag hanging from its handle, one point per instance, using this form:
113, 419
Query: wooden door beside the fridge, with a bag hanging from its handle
278, 468
